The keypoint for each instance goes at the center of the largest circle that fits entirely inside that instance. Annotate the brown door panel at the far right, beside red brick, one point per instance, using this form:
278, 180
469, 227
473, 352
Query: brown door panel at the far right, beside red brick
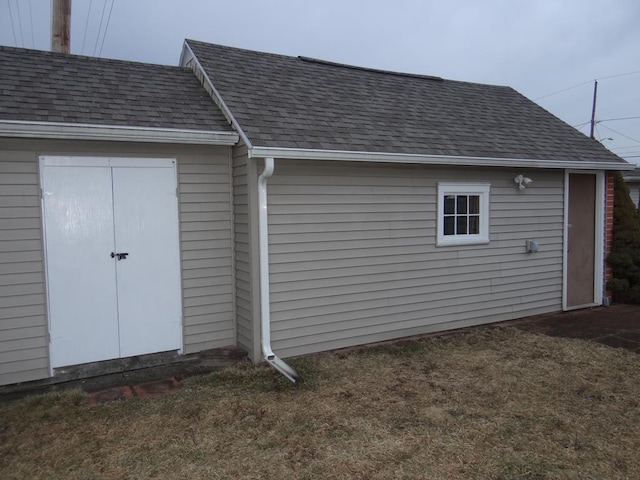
581, 240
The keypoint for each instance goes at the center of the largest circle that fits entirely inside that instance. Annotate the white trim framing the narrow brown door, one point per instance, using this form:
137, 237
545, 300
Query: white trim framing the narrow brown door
598, 270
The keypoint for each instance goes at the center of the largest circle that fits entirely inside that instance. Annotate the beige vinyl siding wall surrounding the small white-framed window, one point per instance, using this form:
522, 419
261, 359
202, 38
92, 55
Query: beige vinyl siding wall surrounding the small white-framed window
353, 256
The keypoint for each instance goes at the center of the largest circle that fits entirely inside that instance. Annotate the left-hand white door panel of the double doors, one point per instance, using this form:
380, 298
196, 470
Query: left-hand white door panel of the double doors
78, 218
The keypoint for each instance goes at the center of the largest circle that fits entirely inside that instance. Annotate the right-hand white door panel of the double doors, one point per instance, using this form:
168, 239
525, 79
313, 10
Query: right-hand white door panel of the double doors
148, 280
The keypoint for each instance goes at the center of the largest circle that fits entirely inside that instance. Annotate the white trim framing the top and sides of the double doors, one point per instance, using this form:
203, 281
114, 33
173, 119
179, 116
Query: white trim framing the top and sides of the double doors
94, 161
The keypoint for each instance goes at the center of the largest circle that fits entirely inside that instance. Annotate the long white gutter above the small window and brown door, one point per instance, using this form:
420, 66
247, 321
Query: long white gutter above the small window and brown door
343, 155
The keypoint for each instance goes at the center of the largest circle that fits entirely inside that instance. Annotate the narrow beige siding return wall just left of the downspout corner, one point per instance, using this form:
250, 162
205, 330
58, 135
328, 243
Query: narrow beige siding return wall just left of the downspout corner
244, 306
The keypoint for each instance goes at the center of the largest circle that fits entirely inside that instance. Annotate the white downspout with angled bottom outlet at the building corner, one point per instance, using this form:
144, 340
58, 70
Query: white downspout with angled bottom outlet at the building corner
265, 311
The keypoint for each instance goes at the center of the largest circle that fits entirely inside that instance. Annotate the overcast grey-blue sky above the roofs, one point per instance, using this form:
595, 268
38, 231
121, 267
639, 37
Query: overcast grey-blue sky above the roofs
538, 47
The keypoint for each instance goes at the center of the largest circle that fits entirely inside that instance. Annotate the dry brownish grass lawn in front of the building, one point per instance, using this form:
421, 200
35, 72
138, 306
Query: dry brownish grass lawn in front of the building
493, 403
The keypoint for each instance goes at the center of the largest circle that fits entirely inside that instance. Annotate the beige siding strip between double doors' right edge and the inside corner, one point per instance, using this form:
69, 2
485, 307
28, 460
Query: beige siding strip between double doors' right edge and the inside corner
206, 243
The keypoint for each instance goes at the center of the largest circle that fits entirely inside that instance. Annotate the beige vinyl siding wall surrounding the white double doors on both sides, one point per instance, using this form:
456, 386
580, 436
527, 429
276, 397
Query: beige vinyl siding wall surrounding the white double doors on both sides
206, 248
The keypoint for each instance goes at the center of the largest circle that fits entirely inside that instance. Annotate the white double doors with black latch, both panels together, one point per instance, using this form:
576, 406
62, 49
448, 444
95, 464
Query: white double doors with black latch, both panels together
103, 304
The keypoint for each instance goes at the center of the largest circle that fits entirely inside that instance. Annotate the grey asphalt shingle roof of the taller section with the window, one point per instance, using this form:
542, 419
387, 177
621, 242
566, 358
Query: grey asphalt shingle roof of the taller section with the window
294, 102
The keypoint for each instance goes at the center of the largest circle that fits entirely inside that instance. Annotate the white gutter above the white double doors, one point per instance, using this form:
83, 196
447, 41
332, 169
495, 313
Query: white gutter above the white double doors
79, 131
